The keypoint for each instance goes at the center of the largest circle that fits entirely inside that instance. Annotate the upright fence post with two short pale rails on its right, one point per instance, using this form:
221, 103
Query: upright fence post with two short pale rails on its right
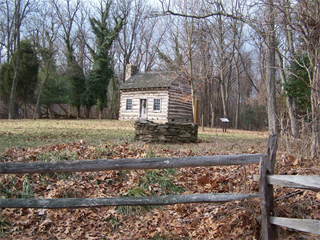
267, 180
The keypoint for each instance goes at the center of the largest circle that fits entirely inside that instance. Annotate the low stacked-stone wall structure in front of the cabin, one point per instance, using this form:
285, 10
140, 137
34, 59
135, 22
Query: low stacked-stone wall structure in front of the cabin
148, 131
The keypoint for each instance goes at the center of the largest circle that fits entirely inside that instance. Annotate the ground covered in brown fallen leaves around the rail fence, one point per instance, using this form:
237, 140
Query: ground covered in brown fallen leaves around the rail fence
233, 220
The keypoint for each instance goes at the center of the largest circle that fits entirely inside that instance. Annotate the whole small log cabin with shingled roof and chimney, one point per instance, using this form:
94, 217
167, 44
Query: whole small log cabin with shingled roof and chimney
155, 96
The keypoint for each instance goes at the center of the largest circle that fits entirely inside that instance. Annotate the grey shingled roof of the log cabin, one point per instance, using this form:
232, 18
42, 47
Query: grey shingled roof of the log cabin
149, 80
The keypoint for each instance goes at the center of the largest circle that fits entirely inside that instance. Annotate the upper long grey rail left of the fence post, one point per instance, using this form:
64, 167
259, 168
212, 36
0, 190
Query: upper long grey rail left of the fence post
127, 164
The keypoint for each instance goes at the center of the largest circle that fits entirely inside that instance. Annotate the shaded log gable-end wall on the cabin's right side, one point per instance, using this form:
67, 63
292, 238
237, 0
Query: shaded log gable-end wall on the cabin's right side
180, 103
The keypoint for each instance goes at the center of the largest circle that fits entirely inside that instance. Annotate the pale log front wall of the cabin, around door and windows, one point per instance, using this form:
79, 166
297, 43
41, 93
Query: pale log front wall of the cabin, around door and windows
149, 95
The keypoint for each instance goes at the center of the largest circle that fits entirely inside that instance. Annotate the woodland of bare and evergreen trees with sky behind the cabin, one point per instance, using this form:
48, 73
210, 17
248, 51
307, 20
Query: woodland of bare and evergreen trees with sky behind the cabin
254, 62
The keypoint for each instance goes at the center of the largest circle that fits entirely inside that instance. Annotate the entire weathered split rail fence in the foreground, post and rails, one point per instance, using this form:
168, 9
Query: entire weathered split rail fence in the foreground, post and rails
267, 180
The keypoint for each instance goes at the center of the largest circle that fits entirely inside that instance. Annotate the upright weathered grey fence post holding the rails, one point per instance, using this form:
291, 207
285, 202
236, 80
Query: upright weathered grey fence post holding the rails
268, 231
